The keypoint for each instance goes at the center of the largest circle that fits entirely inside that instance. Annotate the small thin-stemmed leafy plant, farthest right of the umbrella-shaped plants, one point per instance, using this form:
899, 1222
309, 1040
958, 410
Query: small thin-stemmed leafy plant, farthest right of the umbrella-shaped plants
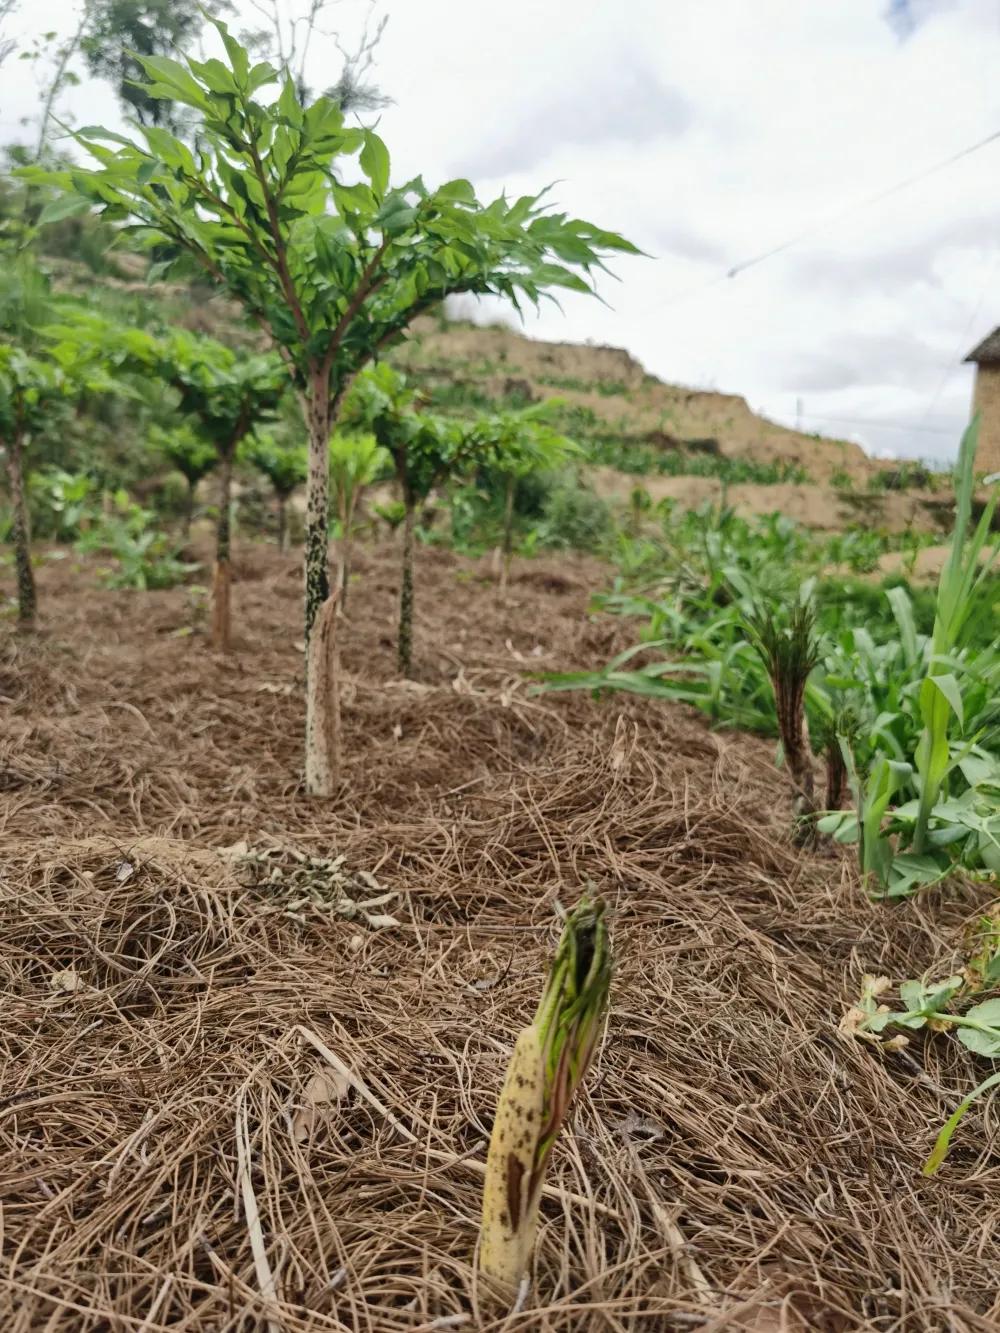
517, 446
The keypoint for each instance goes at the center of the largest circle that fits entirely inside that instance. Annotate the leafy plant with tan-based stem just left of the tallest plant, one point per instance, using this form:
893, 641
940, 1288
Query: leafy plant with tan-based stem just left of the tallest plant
225, 397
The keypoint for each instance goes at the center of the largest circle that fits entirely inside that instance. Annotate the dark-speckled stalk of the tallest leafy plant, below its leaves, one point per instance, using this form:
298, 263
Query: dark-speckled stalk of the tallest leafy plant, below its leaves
321, 704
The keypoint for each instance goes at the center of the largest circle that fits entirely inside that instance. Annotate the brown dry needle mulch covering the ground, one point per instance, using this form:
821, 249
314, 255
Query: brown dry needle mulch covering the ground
227, 1107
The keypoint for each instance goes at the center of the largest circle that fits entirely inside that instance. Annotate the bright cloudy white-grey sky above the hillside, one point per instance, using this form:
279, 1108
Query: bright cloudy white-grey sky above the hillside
710, 133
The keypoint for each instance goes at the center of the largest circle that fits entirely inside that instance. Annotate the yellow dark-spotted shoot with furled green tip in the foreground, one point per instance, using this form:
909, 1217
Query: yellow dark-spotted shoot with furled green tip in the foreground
550, 1062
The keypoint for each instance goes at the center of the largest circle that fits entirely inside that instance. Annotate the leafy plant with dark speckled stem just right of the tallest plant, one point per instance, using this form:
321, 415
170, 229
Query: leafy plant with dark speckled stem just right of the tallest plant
426, 451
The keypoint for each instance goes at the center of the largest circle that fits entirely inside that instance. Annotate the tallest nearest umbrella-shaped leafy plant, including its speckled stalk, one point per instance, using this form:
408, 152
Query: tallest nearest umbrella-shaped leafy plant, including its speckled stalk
334, 271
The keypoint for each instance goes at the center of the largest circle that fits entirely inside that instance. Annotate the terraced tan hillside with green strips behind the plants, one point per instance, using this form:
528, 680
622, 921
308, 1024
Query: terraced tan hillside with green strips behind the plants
691, 446
